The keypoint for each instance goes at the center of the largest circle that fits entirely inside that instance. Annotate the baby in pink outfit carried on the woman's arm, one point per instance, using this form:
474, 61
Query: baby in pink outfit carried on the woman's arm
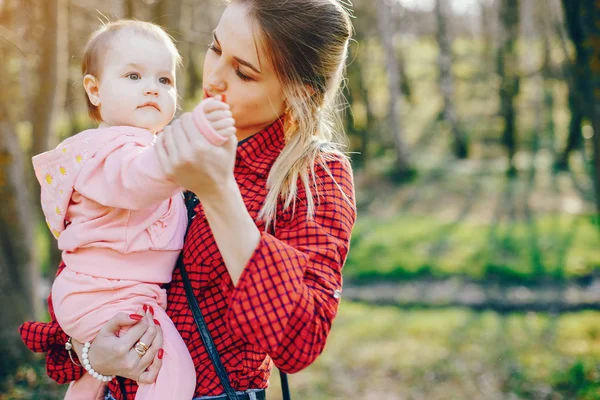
120, 223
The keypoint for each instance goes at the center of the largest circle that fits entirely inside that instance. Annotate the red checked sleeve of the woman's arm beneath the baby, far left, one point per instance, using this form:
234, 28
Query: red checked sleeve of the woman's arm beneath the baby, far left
49, 337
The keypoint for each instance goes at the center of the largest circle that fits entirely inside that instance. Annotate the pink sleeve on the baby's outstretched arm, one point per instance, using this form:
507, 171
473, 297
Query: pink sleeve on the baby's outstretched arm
125, 174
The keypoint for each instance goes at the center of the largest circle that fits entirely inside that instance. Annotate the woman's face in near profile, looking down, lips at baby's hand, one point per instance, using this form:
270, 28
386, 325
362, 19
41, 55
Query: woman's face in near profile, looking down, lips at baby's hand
236, 66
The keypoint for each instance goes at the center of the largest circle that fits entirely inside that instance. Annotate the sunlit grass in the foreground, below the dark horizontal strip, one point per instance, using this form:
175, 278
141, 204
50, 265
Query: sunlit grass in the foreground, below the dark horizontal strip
388, 353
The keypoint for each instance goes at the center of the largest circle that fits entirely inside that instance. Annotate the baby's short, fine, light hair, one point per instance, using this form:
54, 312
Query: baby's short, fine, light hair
99, 42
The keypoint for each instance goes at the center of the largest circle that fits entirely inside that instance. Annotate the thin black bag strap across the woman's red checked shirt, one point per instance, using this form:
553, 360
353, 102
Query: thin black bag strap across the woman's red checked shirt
191, 201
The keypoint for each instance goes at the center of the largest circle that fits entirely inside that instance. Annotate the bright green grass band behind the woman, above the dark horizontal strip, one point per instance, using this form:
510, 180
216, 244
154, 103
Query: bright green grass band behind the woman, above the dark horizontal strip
409, 246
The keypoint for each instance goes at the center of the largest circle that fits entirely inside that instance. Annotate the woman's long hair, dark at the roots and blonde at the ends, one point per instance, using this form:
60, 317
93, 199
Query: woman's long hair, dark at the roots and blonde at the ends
307, 43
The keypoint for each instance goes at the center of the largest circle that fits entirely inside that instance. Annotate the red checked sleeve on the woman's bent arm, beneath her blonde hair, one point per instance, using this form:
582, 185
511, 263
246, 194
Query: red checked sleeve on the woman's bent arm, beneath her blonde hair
288, 293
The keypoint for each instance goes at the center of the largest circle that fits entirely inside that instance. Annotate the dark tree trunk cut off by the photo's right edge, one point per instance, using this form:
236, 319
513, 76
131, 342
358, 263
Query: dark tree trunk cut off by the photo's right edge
590, 22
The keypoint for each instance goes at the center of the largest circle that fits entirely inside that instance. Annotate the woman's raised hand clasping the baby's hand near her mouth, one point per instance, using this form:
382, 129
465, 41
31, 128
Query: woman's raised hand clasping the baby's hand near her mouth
191, 161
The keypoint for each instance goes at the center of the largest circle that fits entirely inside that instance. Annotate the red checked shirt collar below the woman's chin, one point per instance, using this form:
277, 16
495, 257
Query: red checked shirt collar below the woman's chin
260, 150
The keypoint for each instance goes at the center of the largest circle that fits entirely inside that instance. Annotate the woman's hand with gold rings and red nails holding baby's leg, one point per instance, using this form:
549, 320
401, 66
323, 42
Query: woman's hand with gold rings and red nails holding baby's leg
115, 355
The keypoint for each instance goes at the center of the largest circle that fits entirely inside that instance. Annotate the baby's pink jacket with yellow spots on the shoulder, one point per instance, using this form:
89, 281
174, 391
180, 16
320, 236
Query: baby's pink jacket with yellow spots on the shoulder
113, 210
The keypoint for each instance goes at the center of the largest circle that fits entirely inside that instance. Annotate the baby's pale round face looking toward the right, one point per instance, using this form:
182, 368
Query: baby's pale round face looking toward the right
137, 84
